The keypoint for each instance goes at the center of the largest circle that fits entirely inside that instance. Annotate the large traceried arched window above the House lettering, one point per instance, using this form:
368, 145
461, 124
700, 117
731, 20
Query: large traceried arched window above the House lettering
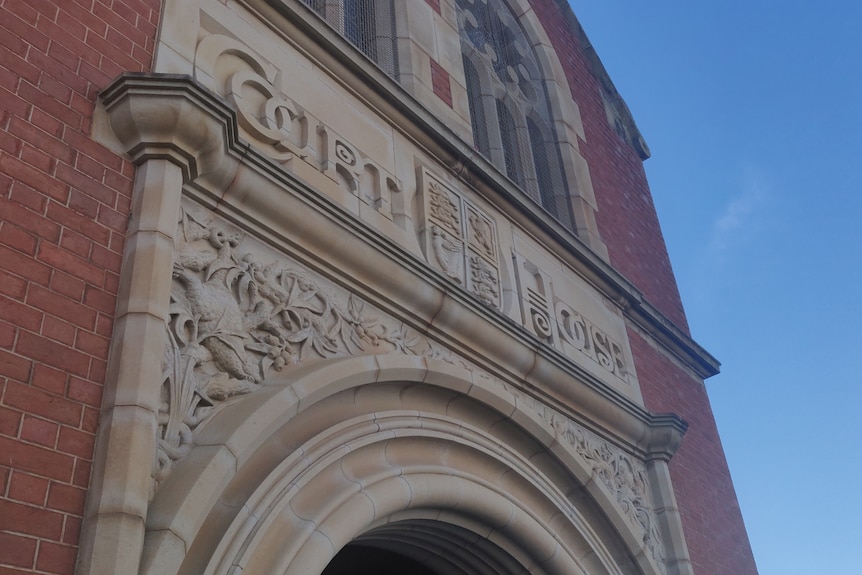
509, 111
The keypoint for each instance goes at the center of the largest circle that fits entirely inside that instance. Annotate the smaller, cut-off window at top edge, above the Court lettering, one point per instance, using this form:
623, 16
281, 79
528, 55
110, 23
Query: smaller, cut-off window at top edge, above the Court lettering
367, 24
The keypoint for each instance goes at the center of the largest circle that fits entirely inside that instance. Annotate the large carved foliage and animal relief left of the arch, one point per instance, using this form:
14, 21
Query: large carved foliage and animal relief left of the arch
237, 319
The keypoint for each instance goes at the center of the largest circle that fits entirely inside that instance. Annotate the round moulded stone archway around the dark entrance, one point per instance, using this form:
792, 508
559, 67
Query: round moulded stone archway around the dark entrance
403, 455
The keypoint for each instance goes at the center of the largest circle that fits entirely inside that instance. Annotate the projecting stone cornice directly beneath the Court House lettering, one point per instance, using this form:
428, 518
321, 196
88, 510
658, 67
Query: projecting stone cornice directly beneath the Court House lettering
173, 117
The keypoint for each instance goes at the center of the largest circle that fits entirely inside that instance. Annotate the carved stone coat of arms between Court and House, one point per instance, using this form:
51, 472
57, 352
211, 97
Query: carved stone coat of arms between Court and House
460, 239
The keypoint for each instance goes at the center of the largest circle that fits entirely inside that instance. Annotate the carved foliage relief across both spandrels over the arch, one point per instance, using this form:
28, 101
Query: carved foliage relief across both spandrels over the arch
236, 321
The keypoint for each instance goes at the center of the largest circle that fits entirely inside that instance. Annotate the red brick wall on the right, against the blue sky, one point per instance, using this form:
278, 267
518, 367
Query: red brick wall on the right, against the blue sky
627, 222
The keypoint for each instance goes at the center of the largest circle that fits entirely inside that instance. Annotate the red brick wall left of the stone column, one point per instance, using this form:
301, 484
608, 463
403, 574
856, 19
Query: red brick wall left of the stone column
64, 203
